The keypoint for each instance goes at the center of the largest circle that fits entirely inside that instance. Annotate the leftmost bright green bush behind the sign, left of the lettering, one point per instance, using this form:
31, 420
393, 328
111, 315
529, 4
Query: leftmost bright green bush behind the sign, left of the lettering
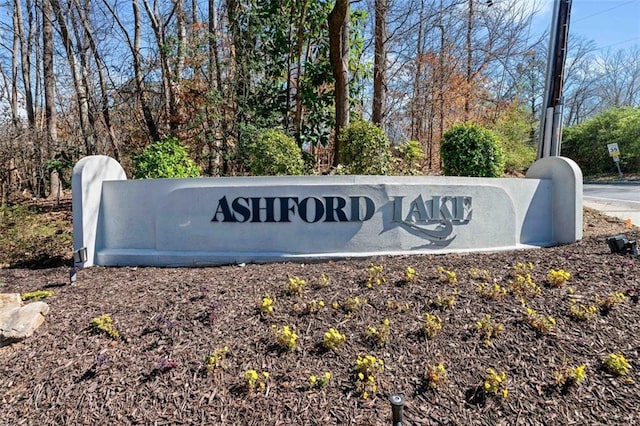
166, 158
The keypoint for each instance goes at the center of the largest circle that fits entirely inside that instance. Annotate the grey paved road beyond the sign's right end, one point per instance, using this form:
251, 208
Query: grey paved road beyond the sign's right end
618, 200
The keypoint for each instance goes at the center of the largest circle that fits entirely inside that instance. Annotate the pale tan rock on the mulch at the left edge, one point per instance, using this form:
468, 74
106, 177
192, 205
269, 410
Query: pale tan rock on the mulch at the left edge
17, 322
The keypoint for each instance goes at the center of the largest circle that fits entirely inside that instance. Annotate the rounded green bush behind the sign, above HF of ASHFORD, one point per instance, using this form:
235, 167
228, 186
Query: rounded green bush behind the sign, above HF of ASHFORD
272, 152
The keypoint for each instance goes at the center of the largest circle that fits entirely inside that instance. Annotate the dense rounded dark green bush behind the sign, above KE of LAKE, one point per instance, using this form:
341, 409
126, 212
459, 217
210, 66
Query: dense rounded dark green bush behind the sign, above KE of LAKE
471, 150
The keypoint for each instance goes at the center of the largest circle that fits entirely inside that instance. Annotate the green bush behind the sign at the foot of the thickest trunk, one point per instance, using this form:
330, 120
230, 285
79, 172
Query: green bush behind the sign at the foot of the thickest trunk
365, 150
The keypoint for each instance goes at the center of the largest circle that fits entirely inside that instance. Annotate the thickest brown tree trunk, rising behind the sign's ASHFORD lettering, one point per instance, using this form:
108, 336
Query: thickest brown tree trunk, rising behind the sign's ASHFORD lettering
339, 59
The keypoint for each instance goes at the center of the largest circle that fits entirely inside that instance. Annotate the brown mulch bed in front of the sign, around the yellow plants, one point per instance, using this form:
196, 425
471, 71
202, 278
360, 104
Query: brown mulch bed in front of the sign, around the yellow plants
170, 320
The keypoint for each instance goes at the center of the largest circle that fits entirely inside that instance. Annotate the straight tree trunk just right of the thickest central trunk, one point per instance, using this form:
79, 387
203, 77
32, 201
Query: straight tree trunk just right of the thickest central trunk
380, 62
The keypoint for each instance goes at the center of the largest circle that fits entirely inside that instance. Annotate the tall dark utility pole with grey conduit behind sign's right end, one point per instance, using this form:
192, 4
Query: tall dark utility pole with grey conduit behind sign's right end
552, 107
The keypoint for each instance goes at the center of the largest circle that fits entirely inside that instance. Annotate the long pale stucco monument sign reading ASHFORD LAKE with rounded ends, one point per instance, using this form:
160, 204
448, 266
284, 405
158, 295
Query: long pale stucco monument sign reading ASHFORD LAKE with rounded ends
210, 221
